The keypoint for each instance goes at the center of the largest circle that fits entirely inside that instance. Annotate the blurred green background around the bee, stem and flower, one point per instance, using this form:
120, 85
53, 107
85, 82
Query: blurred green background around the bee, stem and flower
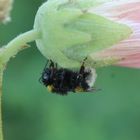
30, 113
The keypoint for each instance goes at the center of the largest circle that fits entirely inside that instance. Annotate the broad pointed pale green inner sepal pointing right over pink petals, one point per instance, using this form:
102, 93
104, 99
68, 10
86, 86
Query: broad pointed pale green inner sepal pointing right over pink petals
104, 34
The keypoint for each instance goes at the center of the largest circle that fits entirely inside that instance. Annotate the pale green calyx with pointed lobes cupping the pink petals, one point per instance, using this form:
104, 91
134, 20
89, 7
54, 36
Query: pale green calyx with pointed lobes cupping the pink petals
71, 31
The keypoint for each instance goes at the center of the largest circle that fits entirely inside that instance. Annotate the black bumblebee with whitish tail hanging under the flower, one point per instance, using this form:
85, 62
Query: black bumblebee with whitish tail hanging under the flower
62, 80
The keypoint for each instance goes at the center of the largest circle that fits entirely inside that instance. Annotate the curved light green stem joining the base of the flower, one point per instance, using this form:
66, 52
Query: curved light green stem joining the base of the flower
10, 50
